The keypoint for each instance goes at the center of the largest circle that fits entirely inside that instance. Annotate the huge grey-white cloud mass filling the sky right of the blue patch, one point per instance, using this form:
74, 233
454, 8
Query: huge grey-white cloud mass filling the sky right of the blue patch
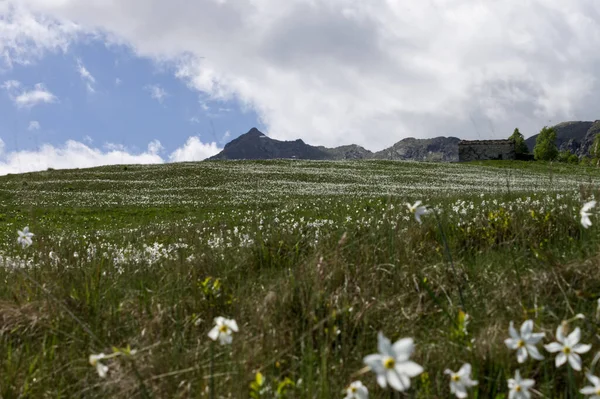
370, 72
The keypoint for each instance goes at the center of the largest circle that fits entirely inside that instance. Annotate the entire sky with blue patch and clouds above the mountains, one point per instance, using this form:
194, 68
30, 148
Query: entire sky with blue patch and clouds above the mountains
94, 82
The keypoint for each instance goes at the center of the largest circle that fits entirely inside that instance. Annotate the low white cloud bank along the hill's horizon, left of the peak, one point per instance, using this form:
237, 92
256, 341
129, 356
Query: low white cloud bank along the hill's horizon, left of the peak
74, 154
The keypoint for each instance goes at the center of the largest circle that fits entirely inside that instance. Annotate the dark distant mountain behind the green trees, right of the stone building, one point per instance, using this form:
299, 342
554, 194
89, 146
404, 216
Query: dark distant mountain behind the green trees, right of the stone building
575, 136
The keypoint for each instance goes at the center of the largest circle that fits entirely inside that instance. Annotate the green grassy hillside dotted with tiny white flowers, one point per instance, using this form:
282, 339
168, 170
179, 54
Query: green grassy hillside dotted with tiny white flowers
311, 258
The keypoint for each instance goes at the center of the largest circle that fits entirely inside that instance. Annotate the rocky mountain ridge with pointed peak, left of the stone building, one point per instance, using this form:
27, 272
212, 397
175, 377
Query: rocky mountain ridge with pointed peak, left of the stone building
256, 145
